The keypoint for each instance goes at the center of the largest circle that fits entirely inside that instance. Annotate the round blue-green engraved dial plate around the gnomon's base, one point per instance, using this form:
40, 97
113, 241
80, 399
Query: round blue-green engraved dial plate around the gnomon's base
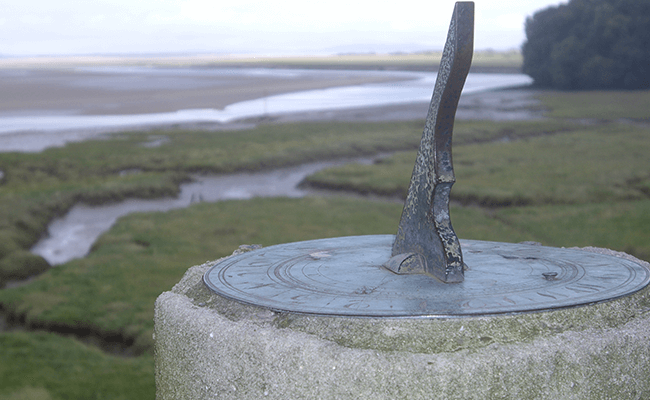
344, 276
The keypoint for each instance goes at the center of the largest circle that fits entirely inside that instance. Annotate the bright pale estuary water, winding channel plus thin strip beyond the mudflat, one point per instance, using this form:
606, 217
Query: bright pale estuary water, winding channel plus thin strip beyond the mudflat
408, 87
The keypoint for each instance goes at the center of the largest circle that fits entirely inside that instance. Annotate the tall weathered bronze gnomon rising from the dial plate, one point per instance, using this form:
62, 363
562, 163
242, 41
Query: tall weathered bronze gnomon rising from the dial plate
426, 241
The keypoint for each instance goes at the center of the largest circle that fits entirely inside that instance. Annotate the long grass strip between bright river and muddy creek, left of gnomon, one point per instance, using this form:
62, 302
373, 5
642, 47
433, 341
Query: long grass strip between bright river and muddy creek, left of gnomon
201, 151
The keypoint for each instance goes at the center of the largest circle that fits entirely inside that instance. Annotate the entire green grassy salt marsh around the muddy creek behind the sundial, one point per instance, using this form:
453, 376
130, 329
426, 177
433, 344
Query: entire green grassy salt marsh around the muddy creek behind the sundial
565, 184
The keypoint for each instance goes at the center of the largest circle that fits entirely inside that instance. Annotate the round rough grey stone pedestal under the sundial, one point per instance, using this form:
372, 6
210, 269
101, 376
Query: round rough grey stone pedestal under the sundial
210, 347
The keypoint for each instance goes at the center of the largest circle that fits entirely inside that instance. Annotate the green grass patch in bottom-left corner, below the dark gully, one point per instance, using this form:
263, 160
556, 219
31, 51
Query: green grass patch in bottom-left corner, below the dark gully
45, 366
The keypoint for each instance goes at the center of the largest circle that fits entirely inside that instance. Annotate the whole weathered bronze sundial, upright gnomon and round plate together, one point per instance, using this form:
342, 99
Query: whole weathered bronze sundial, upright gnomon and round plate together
425, 270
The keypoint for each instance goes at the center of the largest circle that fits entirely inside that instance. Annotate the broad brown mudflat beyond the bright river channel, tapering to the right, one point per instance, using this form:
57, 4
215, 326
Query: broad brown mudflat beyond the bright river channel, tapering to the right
92, 92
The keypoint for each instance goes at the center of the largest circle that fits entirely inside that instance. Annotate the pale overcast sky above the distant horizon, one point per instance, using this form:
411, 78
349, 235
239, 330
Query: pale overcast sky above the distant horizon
271, 27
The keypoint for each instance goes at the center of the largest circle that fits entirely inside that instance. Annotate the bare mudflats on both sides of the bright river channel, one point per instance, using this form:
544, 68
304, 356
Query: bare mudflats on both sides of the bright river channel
32, 89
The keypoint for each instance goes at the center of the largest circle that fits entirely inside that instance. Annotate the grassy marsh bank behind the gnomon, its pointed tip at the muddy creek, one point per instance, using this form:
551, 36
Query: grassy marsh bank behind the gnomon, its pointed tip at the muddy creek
582, 165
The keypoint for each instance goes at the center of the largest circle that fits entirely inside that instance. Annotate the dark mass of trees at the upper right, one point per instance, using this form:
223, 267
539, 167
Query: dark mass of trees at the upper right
590, 44
